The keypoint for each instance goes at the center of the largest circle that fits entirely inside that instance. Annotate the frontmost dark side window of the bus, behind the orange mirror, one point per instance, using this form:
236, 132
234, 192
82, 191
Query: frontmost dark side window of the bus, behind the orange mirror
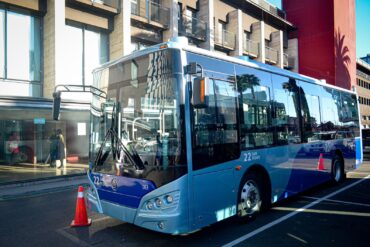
215, 132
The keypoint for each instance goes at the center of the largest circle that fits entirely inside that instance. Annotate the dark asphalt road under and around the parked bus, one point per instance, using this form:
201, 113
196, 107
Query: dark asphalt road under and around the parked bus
325, 216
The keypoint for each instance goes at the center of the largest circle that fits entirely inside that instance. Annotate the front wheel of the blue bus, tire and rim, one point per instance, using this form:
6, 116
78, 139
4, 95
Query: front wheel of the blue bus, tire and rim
250, 197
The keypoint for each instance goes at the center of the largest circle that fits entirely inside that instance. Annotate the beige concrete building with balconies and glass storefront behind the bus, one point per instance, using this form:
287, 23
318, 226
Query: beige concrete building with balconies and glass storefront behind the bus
49, 43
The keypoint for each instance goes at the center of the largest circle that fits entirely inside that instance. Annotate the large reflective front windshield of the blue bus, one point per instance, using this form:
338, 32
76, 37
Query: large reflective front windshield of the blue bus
146, 112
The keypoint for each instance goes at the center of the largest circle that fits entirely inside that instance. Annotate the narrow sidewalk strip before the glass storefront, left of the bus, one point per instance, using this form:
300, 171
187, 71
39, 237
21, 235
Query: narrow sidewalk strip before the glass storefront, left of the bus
32, 188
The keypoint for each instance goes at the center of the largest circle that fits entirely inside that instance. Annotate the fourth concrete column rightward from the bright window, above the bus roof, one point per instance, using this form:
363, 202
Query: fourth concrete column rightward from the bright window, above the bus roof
236, 26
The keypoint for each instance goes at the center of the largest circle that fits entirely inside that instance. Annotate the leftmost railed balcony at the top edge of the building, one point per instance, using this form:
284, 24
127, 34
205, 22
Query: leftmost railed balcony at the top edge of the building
147, 12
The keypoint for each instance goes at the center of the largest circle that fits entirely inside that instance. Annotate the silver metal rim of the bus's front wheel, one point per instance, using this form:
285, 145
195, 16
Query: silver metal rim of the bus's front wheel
250, 198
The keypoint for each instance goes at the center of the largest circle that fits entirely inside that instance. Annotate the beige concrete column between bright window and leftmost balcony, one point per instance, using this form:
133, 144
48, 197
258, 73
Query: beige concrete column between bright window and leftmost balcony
120, 37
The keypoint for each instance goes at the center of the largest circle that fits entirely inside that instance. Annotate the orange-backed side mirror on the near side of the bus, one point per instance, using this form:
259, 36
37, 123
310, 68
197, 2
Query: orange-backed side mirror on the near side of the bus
200, 92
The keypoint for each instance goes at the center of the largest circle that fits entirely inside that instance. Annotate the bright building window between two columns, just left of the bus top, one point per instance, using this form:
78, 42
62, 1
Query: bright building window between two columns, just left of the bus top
84, 51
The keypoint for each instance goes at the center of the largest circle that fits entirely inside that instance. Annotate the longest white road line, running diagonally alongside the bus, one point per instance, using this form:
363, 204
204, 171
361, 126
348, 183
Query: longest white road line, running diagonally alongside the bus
275, 222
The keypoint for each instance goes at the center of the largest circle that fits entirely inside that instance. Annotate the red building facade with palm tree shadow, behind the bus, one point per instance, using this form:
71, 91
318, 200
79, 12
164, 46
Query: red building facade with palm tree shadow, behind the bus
327, 39
